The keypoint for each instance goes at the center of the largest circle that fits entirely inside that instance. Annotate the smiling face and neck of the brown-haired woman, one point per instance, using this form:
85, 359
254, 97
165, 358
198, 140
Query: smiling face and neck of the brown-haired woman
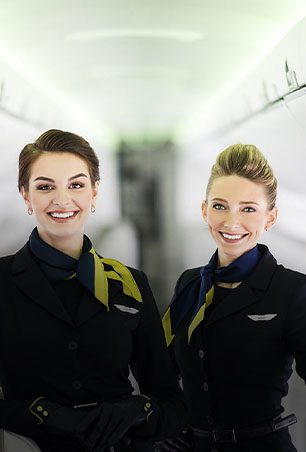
61, 195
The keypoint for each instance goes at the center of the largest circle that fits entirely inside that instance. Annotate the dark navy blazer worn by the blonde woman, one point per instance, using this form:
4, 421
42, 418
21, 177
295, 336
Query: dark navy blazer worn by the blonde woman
236, 368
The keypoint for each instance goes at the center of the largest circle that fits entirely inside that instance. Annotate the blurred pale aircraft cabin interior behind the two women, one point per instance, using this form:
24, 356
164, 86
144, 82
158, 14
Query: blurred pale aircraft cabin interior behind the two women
159, 88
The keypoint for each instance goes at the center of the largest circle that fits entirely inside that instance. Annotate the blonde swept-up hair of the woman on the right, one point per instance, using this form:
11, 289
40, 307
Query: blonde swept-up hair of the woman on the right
245, 160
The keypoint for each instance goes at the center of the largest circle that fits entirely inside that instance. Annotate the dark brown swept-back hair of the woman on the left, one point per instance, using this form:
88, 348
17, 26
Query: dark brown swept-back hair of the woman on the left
55, 140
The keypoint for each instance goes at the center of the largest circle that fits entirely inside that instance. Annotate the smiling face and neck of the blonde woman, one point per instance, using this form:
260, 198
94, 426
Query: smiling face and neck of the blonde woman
237, 213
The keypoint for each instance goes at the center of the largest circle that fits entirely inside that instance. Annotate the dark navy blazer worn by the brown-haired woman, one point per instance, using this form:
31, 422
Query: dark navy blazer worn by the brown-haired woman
43, 352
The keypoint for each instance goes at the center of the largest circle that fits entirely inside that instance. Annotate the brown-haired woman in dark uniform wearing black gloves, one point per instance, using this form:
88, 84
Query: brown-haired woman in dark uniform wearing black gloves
72, 323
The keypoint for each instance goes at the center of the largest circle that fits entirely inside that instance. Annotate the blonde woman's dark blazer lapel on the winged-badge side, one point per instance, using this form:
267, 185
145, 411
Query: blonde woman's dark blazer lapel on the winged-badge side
249, 292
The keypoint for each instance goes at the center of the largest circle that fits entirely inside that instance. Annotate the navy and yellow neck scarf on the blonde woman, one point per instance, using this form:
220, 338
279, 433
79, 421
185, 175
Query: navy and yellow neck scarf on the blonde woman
198, 294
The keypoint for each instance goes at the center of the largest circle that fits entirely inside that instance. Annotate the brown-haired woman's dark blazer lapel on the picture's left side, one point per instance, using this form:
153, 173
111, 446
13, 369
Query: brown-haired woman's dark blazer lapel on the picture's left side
29, 278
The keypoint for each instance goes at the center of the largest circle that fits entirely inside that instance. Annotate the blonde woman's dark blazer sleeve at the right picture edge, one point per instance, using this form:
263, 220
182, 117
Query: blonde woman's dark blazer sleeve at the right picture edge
295, 336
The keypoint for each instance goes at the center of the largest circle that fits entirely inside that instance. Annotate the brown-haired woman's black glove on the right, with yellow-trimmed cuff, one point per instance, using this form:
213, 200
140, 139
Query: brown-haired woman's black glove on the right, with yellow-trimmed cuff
116, 419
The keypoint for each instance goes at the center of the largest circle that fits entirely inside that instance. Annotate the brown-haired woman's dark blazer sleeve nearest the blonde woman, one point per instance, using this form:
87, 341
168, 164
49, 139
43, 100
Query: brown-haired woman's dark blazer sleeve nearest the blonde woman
154, 372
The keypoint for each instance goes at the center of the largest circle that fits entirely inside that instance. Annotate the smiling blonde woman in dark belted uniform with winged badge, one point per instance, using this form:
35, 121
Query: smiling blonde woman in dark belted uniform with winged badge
236, 324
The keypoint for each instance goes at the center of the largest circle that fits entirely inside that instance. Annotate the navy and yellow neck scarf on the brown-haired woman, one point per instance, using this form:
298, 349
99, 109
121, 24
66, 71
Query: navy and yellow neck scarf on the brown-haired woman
92, 271
